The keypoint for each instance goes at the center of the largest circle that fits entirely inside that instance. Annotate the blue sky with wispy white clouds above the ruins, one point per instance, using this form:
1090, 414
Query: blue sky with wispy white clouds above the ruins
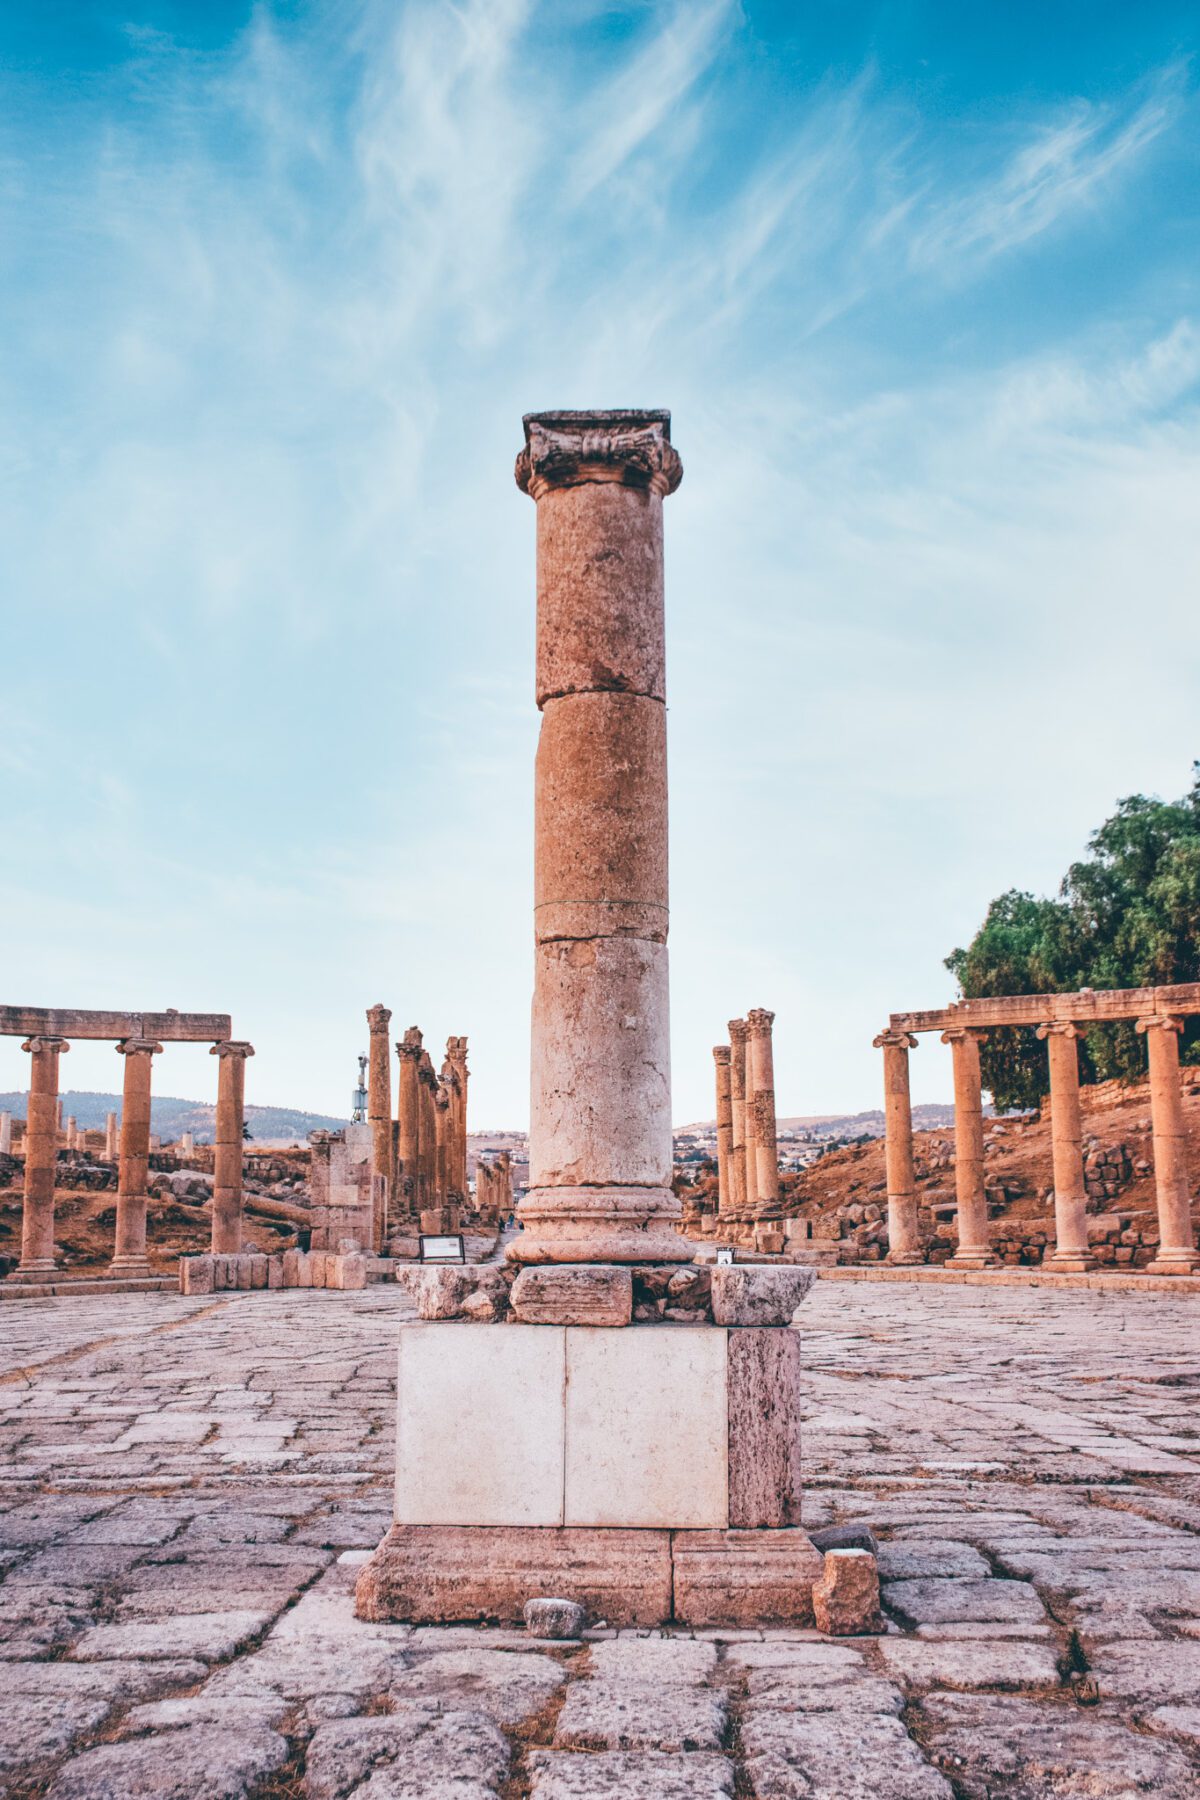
276, 285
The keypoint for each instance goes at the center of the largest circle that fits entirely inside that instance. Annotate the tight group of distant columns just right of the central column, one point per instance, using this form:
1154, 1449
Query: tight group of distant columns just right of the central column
748, 1144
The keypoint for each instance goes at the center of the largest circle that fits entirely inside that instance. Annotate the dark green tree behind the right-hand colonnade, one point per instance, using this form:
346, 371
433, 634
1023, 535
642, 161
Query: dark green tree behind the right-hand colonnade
1125, 917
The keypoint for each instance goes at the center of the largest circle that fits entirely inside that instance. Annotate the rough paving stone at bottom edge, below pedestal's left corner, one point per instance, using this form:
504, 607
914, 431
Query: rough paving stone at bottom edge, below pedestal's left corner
411, 1754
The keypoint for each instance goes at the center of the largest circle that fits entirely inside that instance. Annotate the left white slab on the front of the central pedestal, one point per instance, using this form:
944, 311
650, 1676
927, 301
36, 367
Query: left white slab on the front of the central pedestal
479, 1426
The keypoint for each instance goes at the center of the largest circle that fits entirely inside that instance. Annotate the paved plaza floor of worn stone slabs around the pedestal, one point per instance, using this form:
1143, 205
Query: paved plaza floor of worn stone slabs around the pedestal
188, 1489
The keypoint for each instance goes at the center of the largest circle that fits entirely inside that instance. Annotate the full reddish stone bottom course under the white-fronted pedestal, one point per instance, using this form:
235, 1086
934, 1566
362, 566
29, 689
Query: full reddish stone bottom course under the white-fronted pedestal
469, 1574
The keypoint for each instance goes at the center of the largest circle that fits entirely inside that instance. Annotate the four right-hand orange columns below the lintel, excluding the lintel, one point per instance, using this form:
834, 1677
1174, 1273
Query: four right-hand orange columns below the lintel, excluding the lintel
1178, 1254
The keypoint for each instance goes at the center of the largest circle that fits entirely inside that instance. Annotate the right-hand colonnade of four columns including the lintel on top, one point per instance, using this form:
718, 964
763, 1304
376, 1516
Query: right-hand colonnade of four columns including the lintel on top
1061, 1021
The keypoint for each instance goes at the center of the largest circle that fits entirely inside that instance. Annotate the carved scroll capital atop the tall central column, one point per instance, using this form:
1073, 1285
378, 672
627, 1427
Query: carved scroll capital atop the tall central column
569, 449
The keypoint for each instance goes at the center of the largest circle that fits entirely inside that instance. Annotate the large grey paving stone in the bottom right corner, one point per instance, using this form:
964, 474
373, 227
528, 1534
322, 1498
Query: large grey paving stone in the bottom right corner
999, 1749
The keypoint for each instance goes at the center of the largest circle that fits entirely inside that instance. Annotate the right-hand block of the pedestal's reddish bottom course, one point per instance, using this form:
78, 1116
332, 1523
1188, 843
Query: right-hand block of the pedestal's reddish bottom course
744, 1578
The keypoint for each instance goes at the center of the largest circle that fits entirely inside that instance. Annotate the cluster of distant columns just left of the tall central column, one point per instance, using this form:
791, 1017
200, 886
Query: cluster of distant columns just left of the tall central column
418, 1158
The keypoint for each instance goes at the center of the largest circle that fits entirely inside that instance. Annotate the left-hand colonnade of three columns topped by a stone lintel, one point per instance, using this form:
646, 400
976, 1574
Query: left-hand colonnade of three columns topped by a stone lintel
139, 1041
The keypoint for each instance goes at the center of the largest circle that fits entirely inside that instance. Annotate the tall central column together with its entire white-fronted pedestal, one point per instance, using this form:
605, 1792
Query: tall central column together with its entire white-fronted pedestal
557, 1435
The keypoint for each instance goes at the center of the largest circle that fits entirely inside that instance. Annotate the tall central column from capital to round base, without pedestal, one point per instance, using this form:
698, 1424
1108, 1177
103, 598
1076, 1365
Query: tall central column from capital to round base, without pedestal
600, 1137
